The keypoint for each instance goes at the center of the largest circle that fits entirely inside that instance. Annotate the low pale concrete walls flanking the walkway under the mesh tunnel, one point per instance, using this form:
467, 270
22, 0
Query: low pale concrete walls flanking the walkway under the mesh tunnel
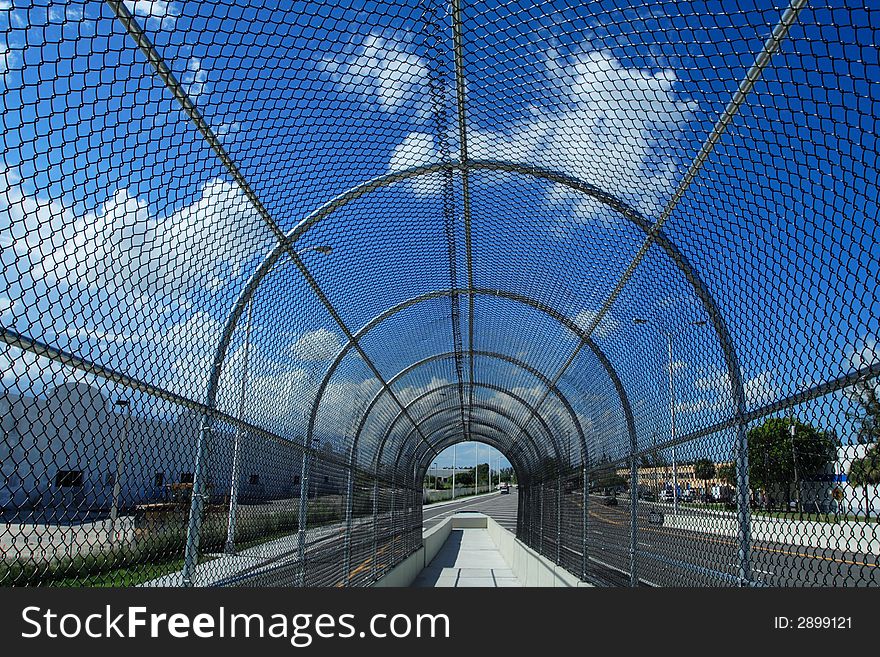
531, 568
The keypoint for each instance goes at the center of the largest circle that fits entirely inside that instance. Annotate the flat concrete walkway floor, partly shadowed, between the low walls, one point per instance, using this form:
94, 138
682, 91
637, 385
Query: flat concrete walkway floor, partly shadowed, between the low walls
469, 558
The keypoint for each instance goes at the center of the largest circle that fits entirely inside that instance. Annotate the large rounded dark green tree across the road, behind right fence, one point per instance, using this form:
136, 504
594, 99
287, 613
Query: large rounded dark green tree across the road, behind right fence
778, 460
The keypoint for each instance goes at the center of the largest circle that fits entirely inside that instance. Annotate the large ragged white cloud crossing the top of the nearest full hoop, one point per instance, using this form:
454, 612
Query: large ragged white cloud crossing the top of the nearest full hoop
607, 129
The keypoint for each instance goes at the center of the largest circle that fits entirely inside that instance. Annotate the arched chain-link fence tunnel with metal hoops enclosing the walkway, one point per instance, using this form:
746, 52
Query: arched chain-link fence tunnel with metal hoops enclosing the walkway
264, 261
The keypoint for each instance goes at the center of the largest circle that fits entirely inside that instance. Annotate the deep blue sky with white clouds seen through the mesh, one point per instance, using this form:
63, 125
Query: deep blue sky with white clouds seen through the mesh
115, 216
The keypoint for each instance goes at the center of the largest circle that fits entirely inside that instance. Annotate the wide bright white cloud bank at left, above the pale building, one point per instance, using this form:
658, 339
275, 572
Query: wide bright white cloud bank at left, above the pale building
122, 246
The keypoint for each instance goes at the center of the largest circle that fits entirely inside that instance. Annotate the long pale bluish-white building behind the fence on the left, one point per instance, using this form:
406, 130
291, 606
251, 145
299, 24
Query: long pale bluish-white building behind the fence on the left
58, 456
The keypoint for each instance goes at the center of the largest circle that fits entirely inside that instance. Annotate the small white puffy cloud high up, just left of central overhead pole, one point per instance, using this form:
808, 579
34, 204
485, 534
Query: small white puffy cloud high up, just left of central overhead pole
381, 71
